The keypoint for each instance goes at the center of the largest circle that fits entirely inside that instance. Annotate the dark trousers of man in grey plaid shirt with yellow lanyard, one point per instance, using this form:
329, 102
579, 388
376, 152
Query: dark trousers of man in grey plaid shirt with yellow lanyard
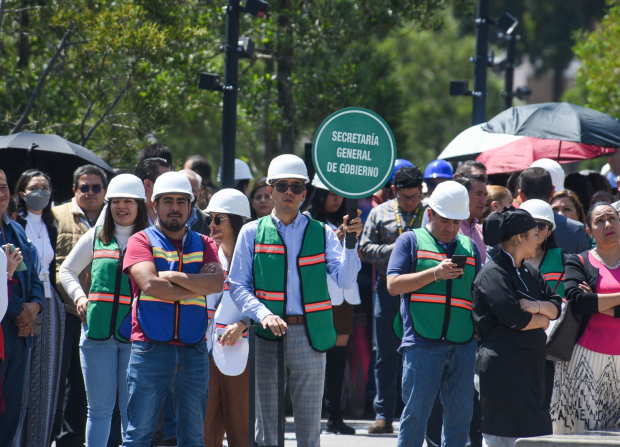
388, 359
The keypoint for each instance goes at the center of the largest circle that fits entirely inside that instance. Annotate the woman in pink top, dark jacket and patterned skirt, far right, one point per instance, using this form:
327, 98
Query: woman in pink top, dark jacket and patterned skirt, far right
587, 388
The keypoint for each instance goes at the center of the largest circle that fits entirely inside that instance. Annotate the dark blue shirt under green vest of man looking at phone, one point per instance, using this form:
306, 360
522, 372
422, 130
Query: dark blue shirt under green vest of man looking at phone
401, 263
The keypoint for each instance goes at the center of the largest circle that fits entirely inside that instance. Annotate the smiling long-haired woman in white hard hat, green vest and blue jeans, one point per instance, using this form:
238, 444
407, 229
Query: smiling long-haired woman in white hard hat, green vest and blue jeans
104, 351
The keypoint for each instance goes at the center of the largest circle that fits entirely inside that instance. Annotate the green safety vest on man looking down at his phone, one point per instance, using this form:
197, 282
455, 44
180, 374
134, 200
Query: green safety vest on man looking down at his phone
441, 310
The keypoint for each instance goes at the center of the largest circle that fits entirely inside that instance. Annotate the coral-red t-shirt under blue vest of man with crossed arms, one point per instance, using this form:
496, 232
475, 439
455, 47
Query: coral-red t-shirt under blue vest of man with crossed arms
139, 250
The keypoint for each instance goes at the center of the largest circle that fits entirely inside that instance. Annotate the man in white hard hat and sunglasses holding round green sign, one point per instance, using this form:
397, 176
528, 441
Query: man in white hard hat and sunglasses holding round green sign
278, 277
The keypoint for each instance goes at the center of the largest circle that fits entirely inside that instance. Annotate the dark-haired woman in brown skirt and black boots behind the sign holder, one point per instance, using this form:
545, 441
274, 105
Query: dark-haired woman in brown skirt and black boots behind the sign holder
330, 208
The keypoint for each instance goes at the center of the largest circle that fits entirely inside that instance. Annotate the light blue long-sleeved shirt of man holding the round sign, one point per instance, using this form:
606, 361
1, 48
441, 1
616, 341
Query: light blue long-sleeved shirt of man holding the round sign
342, 265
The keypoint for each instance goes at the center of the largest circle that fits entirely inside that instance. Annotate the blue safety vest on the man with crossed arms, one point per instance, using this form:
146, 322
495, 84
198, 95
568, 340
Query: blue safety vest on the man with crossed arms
180, 321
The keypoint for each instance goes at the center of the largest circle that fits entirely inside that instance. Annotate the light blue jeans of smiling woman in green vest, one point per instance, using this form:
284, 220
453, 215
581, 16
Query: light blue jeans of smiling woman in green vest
104, 366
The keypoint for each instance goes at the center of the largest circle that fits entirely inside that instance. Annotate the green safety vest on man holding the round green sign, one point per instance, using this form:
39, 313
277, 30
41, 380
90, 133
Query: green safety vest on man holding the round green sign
270, 266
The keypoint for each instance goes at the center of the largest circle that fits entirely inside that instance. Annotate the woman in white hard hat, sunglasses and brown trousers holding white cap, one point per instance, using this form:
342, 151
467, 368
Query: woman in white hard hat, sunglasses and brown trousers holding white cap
227, 407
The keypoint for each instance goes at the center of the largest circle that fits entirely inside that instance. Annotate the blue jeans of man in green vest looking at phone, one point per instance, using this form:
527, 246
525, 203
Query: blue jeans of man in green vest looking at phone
449, 369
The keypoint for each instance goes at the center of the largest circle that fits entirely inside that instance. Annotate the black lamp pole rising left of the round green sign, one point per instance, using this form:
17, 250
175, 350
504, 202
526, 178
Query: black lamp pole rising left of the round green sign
230, 89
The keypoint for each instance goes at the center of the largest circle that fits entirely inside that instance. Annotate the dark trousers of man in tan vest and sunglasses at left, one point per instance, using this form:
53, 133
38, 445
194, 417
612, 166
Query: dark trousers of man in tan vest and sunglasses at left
70, 421
